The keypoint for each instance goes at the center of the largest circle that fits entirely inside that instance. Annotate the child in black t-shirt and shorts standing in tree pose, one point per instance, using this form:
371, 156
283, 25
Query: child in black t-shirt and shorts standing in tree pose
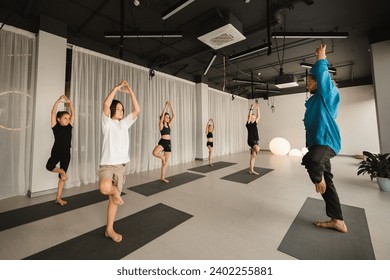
61, 123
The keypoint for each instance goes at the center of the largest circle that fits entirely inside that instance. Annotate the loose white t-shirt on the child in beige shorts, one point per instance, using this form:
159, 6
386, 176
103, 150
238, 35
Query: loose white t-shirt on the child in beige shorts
115, 148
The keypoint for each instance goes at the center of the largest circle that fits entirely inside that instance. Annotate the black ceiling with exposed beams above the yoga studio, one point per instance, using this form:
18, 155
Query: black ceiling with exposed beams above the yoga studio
87, 21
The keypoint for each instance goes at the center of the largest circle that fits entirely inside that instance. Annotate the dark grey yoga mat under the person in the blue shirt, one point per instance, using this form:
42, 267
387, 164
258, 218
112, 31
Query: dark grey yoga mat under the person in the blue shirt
306, 241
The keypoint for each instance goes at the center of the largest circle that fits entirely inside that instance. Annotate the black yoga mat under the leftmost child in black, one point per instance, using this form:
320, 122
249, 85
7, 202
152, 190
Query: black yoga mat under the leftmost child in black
47, 209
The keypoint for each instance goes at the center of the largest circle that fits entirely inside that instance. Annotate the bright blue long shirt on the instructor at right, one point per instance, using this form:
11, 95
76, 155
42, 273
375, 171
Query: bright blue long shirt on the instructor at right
321, 110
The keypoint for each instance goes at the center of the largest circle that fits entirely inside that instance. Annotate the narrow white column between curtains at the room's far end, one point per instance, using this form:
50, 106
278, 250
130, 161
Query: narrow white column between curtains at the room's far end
202, 105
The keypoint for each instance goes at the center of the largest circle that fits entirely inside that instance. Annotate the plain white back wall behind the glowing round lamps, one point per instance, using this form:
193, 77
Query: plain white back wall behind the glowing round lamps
356, 119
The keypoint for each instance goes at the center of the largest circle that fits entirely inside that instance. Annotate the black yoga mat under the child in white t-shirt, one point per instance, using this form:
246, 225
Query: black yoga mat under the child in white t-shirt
137, 230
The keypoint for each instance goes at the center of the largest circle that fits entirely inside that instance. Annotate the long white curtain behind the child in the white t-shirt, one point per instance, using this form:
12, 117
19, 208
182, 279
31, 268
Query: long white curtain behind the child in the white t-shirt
93, 76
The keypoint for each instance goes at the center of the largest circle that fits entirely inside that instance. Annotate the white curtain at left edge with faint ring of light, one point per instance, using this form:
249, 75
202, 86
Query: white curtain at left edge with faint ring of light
17, 75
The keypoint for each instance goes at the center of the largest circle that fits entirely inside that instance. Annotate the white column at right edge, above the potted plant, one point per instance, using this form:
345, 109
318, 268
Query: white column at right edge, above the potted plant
380, 67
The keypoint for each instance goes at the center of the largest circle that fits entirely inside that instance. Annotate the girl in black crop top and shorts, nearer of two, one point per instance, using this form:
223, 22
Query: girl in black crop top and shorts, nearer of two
164, 145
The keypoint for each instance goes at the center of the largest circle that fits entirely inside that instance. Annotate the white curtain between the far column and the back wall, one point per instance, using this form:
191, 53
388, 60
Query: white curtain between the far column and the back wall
230, 116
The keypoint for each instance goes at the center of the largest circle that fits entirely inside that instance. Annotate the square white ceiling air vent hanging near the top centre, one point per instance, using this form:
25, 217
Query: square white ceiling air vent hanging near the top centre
222, 31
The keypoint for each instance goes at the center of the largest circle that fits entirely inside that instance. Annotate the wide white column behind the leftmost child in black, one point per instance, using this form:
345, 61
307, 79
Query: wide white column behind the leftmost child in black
50, 84
